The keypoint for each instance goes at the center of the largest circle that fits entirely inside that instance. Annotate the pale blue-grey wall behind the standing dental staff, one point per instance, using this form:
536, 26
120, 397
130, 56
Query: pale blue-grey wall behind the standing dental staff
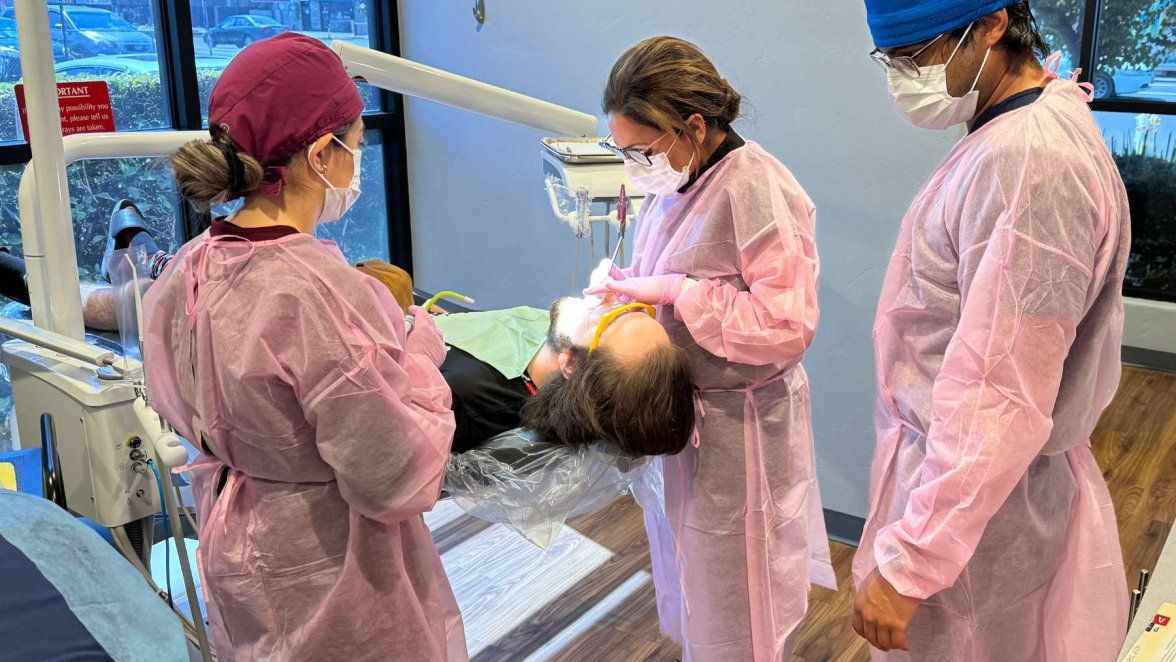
482, 224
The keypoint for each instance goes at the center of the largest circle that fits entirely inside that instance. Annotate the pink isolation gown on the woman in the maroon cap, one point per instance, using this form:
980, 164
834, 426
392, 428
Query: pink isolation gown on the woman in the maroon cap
324, 433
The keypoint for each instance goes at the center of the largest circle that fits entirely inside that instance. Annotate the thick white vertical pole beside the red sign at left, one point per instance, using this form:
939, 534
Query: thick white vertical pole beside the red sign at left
48, 238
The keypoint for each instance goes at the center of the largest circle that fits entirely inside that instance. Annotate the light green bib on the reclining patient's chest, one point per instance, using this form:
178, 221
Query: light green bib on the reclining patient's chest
507, 340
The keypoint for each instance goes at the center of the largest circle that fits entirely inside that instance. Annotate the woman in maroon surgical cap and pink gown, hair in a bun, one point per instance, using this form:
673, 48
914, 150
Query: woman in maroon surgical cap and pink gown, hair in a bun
324, 427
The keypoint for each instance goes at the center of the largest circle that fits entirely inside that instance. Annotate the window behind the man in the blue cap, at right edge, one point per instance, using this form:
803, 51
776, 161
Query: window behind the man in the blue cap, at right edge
1127, 51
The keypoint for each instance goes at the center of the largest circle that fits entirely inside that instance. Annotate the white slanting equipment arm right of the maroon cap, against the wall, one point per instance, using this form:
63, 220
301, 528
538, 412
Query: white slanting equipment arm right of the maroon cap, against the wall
413, 79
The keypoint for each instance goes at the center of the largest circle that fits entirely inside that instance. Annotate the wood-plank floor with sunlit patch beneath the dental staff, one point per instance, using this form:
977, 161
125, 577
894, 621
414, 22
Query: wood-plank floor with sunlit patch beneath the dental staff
592, 597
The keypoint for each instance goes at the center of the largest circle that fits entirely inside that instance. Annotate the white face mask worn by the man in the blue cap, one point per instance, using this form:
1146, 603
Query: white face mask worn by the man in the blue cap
926, 102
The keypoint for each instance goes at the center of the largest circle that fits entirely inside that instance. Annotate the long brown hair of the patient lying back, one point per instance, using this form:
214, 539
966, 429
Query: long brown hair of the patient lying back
645, 407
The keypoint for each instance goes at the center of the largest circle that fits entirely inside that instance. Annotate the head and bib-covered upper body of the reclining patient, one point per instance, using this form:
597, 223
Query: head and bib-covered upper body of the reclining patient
530, 367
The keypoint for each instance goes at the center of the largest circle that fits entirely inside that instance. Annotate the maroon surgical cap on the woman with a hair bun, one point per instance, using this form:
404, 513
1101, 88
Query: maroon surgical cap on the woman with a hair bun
278, 97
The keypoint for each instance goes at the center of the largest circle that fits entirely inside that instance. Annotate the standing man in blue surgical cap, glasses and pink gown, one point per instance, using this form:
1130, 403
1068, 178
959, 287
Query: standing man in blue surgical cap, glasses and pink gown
991, 534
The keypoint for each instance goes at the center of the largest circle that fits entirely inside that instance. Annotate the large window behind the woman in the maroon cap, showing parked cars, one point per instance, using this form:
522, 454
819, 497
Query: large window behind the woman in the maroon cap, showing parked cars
146, 50
